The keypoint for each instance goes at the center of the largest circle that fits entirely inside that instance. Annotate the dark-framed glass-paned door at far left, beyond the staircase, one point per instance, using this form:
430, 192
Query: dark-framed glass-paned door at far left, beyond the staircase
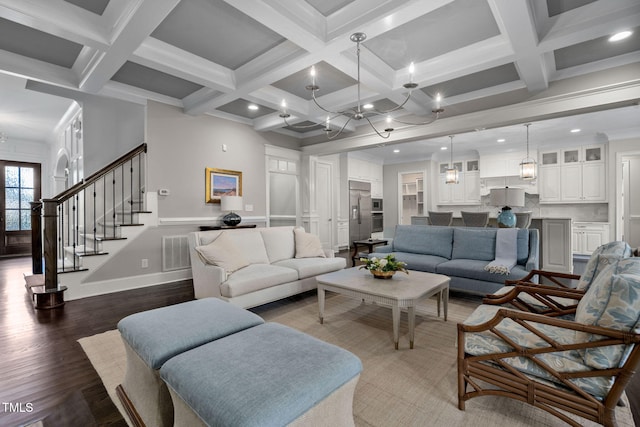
19, 186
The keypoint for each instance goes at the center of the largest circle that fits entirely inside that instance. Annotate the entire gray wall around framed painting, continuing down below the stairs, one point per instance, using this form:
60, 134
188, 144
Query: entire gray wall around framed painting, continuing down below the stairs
180, 147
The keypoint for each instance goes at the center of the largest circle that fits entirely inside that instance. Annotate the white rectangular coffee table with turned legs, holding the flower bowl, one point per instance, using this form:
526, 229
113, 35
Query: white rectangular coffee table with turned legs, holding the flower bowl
402, 291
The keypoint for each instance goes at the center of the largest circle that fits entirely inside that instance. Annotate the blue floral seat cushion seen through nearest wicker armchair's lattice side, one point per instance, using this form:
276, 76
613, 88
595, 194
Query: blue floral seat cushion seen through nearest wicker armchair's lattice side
486, 342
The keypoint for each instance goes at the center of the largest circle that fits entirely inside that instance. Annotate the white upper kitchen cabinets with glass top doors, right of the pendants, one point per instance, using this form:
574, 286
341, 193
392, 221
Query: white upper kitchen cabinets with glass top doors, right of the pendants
573, 175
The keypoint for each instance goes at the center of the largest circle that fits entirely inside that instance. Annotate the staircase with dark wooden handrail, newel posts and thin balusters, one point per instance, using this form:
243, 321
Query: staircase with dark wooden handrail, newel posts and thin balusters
83, 225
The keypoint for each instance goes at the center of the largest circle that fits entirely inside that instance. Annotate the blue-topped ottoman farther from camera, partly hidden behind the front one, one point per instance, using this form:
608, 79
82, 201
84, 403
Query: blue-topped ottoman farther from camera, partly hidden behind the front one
155, 336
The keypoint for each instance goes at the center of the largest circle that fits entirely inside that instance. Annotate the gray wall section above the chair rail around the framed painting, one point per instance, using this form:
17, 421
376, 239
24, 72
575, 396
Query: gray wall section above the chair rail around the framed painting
181, 147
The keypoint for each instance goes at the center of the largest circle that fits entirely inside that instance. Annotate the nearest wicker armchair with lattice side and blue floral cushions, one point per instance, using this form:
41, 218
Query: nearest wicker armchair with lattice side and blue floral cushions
565, 367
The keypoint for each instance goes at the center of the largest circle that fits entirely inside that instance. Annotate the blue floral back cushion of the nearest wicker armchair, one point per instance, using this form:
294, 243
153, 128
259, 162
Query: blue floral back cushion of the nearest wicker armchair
612, 301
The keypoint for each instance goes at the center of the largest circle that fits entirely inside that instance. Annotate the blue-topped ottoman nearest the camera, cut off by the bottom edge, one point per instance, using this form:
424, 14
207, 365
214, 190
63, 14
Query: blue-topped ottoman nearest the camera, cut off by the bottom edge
269, 375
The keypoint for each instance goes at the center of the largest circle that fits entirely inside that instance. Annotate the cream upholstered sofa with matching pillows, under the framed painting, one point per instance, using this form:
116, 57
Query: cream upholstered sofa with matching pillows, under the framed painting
251, 267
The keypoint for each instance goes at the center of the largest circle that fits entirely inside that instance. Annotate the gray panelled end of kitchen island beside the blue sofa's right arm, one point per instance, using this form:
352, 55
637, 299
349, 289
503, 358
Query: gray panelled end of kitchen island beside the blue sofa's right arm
556, 245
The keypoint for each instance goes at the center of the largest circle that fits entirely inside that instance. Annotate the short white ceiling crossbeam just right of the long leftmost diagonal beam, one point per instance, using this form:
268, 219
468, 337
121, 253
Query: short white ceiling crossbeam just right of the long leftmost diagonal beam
156, 54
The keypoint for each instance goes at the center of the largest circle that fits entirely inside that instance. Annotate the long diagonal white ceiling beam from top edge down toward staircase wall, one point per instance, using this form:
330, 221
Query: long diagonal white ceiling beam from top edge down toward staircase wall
134, 31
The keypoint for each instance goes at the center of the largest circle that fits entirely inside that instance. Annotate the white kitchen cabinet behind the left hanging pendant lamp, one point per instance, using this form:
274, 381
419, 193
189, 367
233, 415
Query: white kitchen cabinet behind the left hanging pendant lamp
467, 191
